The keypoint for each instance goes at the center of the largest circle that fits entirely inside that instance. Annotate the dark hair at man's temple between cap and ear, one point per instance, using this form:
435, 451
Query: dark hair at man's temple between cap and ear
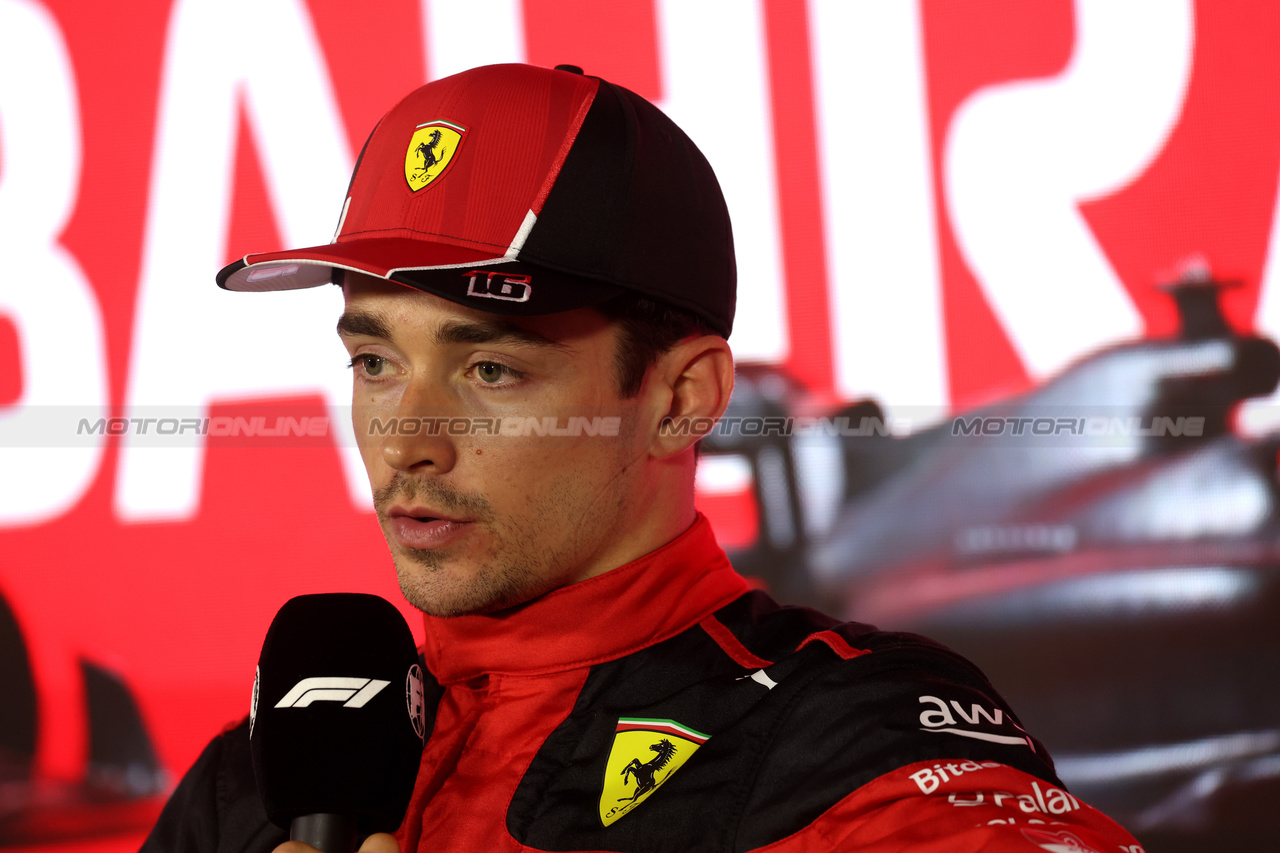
647, 329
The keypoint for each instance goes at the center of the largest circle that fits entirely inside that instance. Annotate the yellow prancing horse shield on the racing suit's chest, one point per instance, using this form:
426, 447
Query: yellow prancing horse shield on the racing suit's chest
646, 754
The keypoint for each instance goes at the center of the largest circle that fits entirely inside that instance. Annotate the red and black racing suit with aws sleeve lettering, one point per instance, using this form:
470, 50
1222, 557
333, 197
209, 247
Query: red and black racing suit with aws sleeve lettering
787, 732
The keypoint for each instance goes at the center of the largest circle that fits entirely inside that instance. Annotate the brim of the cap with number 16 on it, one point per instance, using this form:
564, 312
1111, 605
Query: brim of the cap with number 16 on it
472, 277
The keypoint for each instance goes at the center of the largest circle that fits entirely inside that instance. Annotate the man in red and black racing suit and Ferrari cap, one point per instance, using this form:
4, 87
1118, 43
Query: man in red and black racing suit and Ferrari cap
522, 248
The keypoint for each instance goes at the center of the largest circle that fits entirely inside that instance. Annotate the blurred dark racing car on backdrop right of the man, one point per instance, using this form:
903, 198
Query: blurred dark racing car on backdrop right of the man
1105, 546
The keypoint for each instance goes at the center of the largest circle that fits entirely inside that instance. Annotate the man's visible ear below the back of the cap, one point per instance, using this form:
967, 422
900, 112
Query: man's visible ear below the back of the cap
696, 380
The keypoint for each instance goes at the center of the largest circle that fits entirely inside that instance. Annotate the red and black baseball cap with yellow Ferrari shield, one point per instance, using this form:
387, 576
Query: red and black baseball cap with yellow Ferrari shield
523, 190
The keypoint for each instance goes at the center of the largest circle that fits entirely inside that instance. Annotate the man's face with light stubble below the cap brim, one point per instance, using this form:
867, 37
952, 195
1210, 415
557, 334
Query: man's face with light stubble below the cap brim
479, 510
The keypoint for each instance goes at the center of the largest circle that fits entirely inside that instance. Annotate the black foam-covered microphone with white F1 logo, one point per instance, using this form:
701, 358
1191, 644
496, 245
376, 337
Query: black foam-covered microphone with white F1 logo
339, 719
